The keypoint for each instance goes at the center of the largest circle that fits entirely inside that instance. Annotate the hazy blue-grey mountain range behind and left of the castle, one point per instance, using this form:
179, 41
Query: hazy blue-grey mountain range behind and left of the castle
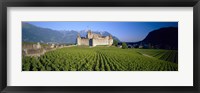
31, 33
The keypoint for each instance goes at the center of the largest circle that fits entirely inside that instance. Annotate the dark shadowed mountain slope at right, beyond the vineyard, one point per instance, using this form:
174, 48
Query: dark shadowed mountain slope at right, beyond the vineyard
163, 38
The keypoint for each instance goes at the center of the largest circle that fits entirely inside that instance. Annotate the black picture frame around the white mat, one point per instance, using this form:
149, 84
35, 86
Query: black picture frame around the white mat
98, 3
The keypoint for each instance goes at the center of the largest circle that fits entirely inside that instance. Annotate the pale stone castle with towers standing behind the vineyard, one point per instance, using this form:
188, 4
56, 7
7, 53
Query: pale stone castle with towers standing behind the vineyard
93, 39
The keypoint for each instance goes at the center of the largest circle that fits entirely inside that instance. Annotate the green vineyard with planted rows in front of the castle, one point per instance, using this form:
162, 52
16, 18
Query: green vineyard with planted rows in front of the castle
103, 59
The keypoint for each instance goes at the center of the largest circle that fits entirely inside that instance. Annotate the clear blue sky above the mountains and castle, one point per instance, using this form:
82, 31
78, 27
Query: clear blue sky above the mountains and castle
125, 31
